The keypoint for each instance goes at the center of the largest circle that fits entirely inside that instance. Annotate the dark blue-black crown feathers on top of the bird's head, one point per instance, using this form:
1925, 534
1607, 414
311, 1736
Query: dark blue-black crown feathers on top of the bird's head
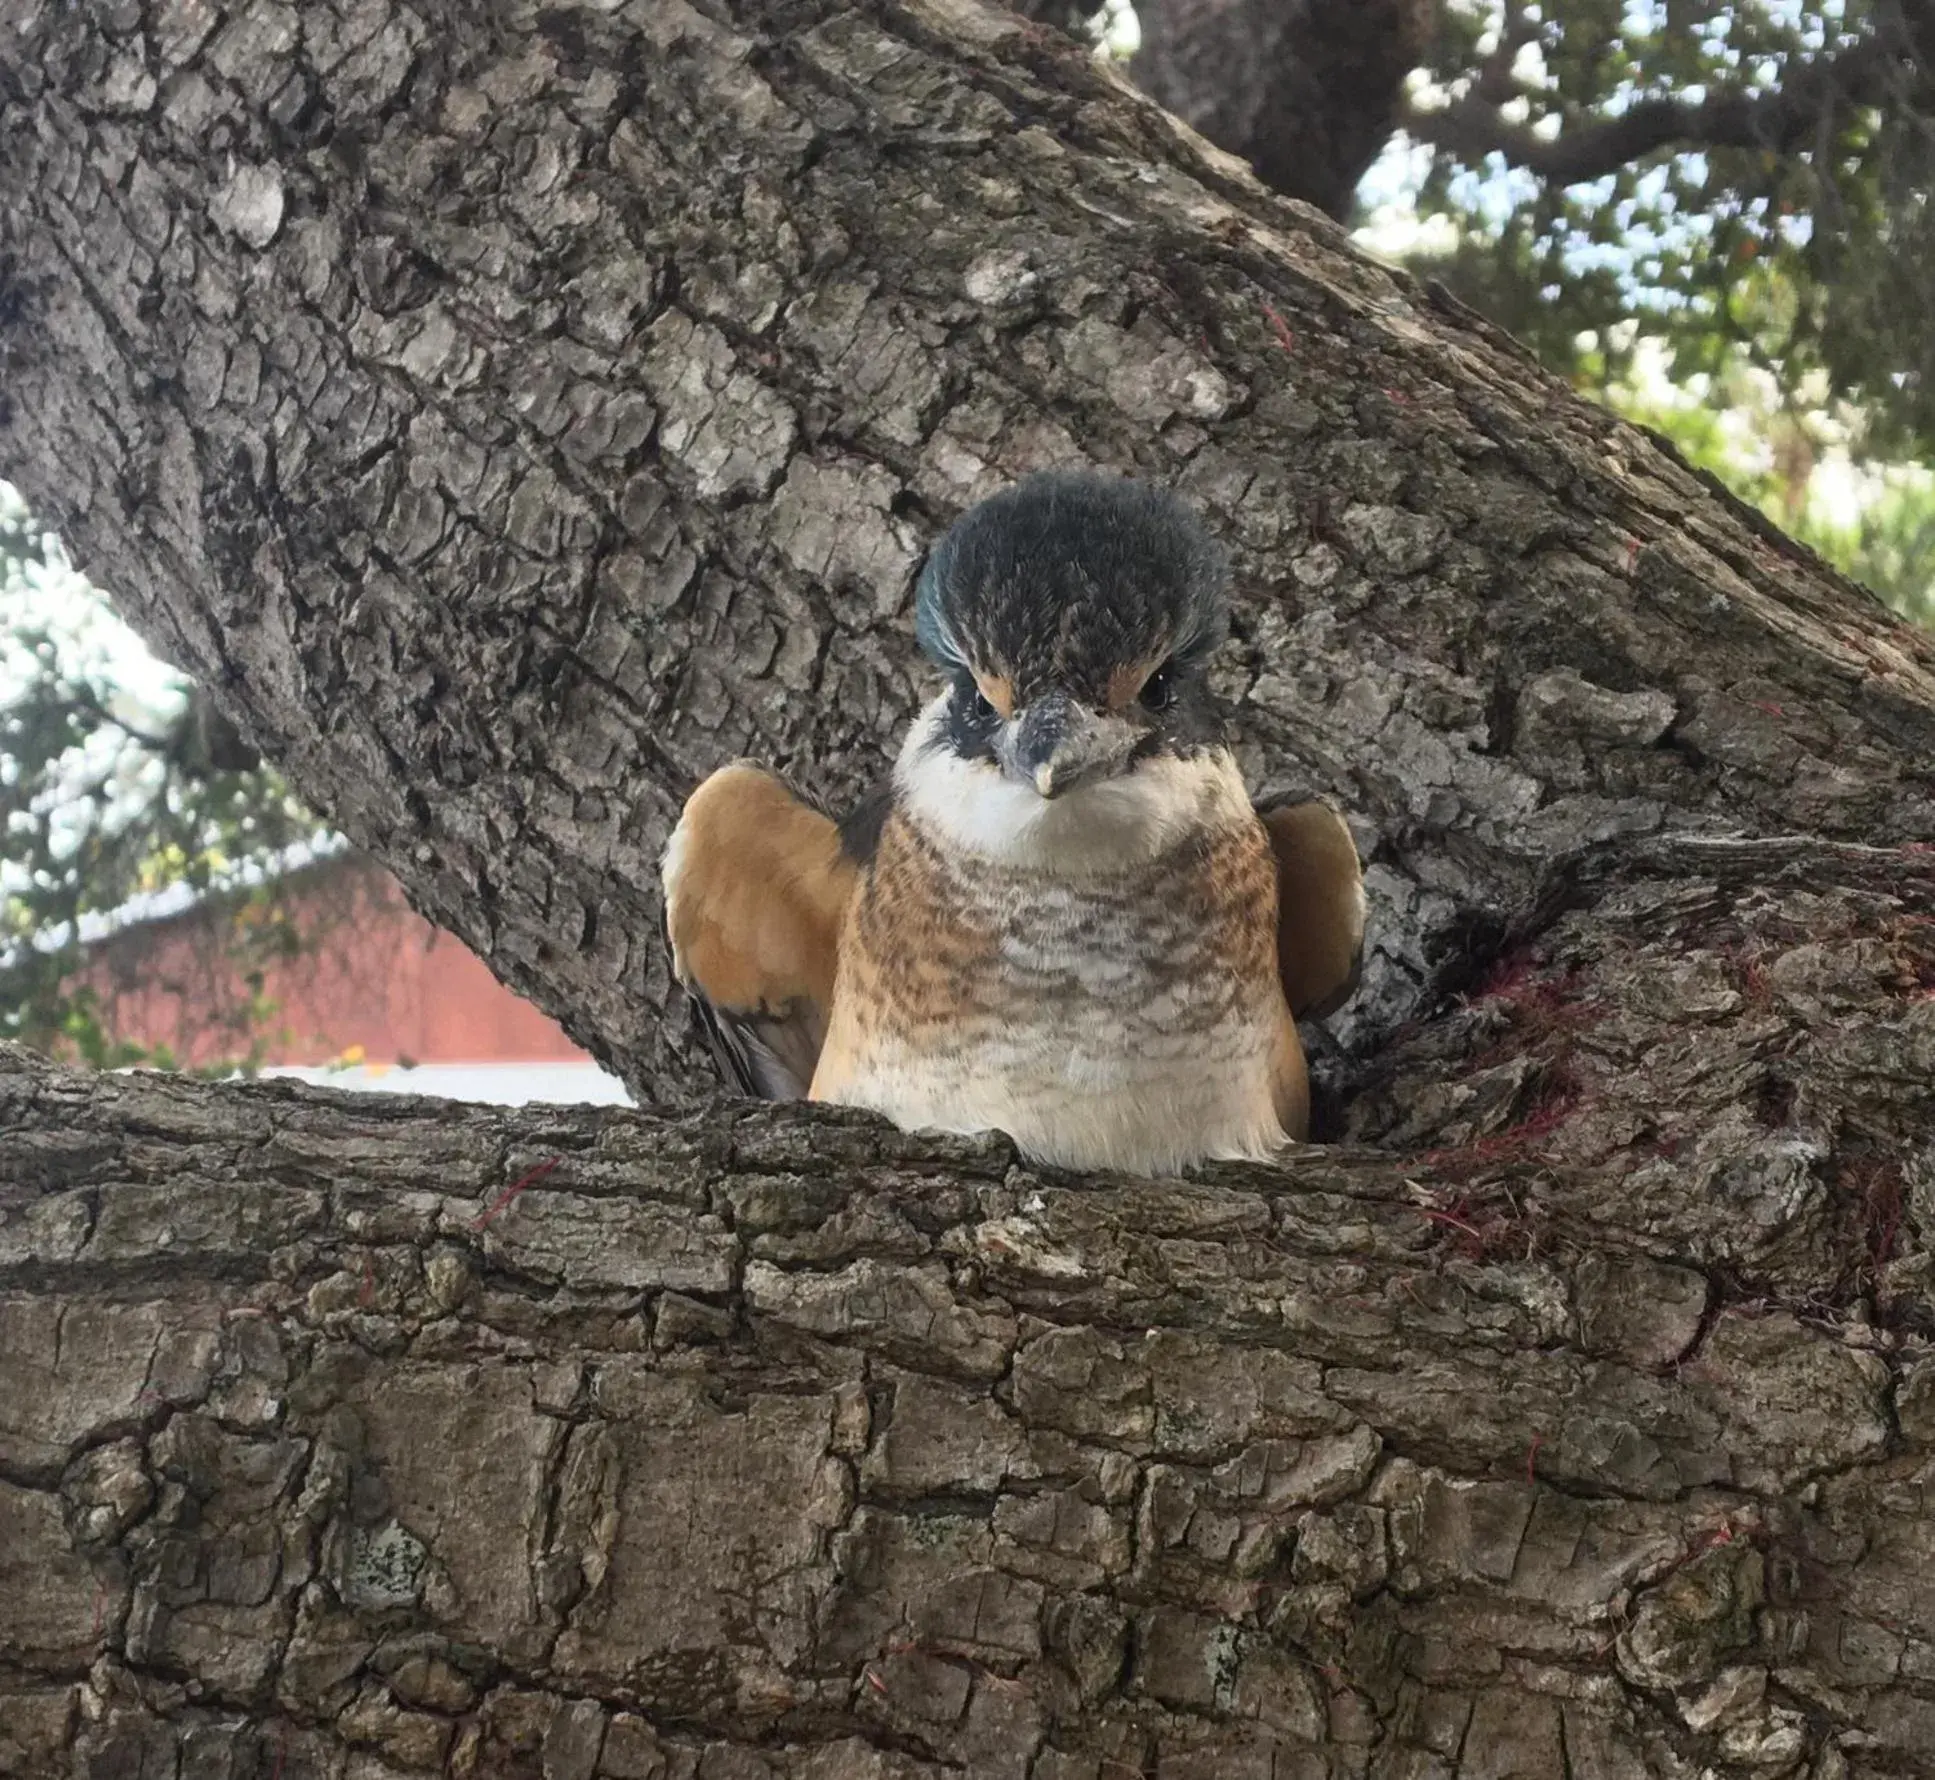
1067, 578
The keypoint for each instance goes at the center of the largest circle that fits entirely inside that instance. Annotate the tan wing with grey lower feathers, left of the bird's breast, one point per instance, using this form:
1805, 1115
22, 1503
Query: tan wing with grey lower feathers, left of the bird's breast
758, 887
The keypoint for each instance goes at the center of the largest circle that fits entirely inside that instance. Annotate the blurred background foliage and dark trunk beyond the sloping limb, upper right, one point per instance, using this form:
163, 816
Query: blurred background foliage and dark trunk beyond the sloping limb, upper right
1715, 218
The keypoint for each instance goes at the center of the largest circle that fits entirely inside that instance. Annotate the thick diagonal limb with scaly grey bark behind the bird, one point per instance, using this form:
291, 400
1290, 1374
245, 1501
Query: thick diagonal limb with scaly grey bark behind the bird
711, 473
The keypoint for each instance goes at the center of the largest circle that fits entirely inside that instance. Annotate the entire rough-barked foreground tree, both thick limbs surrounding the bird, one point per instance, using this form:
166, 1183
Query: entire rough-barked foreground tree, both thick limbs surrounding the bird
512, 415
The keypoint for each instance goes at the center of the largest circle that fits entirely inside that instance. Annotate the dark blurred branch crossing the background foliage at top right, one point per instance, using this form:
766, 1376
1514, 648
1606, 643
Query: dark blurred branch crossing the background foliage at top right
1779, 121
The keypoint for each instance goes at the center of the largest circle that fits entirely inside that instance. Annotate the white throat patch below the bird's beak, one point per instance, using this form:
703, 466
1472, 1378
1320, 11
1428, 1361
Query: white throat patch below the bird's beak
1102, 827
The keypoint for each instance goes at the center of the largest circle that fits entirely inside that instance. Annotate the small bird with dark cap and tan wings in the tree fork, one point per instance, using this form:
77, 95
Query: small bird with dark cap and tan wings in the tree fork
1061, 916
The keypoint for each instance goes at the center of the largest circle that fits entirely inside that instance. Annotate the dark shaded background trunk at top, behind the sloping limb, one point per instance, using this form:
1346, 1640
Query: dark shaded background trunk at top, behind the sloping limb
1307, 92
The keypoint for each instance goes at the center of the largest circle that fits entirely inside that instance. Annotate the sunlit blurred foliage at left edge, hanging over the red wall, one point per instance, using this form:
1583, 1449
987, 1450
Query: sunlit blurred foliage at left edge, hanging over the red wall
105, 802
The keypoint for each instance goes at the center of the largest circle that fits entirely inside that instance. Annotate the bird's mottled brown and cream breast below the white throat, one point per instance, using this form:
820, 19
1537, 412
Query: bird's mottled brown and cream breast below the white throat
1108, 1021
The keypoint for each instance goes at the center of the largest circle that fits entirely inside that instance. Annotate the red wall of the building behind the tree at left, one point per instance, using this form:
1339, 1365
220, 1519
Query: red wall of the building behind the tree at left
369, 972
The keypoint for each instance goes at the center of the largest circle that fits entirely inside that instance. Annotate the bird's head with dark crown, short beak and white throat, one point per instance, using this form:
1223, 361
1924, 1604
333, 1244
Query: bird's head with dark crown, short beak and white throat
1075, 618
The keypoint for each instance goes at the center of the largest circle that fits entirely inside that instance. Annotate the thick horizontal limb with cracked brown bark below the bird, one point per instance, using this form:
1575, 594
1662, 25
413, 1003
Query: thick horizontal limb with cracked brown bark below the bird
578, 1442
